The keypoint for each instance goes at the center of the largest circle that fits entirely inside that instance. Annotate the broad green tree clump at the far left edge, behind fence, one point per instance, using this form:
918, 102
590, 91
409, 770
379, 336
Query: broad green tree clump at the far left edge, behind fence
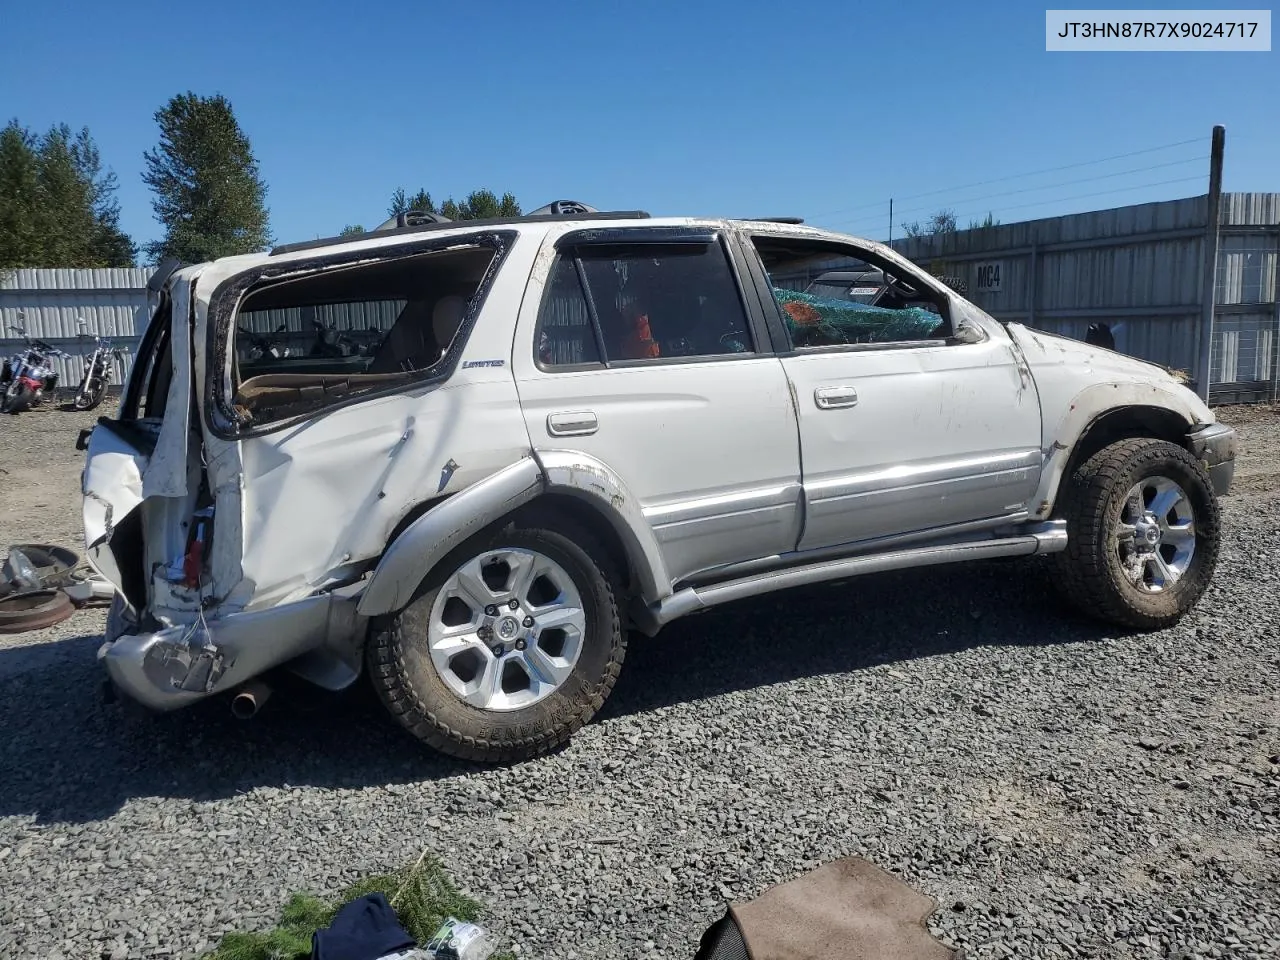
57, 205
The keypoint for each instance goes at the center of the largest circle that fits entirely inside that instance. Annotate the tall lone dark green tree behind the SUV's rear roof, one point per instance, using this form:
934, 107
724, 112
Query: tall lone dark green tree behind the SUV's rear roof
208, 191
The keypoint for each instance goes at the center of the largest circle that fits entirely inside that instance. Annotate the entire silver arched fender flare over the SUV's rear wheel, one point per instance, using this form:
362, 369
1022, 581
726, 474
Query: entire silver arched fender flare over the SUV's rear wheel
431, 538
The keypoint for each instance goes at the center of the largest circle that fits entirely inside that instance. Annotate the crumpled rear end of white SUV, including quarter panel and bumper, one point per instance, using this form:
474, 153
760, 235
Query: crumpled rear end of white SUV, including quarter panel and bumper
241, 497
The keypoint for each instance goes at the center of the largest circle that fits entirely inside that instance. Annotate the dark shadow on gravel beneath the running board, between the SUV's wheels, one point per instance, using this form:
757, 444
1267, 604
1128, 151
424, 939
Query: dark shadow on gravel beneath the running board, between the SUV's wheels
844, 628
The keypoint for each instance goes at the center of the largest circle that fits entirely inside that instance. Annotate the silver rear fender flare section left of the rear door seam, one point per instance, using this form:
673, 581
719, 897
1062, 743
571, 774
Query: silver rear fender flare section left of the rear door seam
429, 538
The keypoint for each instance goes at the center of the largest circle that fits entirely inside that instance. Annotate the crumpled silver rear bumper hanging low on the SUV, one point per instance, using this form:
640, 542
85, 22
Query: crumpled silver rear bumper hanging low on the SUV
177, 666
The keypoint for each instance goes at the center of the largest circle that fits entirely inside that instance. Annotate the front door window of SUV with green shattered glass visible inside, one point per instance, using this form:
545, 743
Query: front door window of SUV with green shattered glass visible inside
831, 298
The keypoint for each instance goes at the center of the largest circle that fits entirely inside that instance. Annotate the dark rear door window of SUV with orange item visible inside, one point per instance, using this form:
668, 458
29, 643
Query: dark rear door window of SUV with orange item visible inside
642, 303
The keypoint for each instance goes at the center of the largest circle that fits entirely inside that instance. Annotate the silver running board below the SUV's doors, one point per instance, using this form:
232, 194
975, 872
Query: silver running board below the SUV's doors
1043, 538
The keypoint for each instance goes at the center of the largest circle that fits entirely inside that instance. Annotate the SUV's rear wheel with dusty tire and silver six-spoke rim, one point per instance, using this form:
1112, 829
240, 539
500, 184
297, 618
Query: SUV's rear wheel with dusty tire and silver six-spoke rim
426, 692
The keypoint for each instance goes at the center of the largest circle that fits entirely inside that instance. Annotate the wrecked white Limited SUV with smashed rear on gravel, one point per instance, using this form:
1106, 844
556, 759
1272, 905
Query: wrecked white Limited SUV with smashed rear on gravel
472, 459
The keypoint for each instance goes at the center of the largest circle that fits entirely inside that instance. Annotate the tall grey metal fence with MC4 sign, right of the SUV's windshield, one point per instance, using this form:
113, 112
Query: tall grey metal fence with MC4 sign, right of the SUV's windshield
1139, 269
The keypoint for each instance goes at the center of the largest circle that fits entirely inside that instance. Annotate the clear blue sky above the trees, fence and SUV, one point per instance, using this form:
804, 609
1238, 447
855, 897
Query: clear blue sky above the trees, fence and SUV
822, 111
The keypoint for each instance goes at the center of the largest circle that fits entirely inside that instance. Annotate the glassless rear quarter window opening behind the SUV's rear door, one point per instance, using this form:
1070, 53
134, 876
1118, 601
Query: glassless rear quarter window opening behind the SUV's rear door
301, 344
